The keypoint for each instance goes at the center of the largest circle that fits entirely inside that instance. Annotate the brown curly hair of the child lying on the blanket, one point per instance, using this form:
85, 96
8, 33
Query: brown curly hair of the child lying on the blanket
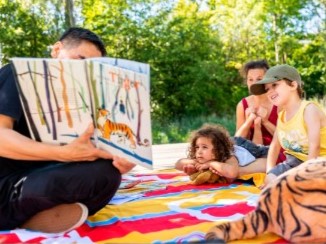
223, 146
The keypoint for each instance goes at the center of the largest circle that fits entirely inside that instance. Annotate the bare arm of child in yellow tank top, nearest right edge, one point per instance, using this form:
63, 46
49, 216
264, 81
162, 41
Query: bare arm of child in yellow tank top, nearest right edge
313, 118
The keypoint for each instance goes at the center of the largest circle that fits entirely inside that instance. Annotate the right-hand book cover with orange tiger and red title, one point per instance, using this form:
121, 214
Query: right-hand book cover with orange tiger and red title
121, 98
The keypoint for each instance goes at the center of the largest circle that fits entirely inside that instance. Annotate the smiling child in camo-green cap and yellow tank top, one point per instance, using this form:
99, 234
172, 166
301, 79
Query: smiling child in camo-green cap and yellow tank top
301, 125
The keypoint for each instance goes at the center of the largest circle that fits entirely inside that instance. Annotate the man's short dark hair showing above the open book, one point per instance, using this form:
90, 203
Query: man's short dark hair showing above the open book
75, 35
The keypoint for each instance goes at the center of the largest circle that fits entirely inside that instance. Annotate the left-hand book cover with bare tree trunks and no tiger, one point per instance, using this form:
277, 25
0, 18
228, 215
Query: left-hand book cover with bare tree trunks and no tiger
55, 97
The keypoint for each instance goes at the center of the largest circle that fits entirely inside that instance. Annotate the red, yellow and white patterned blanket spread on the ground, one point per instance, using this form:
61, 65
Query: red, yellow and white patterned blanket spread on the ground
161, 207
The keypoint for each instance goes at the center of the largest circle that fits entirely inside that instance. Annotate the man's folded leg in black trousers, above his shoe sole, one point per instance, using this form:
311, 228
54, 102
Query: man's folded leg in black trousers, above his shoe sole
90, 183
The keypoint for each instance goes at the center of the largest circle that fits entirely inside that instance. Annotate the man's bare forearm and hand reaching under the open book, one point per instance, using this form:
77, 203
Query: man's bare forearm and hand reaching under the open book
16, 146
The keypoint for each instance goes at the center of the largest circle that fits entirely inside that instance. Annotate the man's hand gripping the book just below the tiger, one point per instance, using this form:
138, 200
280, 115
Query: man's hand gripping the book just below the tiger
82, 149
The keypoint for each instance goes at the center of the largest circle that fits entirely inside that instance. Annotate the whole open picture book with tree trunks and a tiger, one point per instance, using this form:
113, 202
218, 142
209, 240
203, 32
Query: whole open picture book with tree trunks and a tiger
61, 98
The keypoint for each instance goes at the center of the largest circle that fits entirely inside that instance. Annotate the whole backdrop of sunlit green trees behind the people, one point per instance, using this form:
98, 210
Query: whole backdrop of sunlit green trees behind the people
195, 48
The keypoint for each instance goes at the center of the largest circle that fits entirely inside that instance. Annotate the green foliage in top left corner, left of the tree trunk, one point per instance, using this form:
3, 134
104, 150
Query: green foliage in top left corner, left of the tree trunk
27, 29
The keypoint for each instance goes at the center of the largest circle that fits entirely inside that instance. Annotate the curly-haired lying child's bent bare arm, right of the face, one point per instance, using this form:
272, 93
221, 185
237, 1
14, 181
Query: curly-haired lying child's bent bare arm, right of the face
228, 169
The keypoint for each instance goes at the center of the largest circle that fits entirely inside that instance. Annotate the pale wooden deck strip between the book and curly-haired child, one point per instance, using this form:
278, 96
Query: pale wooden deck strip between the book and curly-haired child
165, 156
